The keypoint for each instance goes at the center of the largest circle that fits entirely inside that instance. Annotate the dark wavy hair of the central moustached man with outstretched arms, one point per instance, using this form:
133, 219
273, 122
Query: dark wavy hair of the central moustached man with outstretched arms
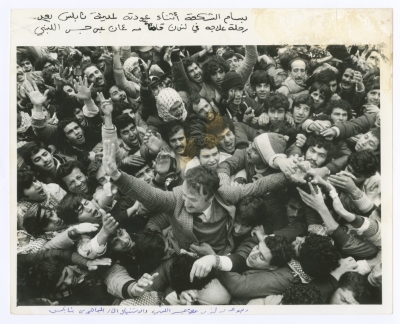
203, 180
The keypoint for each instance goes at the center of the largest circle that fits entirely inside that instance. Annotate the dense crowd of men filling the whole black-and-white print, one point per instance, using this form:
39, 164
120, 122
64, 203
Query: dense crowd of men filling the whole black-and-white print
211, 175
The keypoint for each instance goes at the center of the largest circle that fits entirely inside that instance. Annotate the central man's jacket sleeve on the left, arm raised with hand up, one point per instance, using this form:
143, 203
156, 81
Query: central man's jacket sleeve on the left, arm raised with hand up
152, 198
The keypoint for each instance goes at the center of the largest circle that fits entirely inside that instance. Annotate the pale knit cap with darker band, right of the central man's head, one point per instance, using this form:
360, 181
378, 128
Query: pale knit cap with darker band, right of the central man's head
269, 144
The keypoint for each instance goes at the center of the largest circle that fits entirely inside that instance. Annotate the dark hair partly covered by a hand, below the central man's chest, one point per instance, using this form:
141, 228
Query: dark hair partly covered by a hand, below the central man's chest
179, 273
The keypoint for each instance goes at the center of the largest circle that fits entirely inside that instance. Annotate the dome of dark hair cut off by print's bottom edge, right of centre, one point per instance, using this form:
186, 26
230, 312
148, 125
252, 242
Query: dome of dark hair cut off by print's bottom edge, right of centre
302, 294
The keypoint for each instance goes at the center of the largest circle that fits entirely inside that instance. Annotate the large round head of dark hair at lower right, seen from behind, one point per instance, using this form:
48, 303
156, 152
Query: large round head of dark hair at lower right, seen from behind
318, 257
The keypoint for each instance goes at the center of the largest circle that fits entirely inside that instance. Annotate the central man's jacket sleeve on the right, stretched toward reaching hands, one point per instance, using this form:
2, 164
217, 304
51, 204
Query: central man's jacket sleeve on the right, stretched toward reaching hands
260, 187
